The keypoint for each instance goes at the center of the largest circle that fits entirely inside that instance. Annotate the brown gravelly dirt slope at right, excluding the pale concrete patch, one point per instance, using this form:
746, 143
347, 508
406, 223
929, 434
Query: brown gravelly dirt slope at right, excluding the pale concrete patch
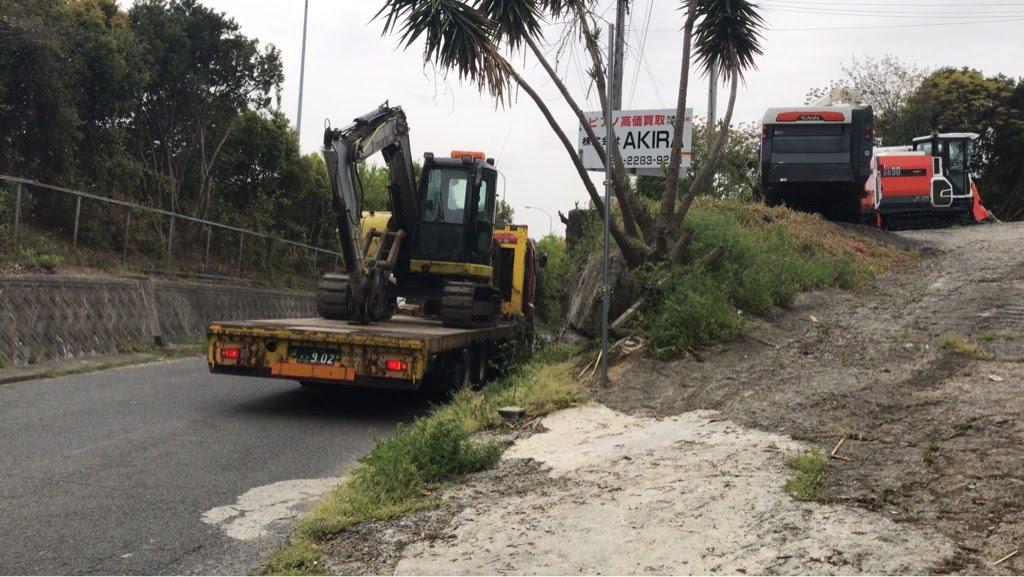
934, 439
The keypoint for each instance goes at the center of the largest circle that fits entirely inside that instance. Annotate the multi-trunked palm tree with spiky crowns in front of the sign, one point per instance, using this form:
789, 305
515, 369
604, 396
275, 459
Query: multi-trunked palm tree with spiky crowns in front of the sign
468, 37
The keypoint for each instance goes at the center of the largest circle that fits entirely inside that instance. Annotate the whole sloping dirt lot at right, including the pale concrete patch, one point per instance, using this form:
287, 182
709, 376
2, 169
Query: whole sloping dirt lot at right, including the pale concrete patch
687, 464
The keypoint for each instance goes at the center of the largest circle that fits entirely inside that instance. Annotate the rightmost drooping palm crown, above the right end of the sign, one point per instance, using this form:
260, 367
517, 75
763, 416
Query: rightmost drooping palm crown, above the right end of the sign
728, 34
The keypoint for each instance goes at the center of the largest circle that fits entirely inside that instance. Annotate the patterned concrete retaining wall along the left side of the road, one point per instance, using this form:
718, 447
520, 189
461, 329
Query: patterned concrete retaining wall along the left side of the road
49, 317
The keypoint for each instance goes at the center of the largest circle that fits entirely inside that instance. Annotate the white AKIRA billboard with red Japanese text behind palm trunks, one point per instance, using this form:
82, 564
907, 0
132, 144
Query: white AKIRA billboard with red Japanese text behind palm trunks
645, 140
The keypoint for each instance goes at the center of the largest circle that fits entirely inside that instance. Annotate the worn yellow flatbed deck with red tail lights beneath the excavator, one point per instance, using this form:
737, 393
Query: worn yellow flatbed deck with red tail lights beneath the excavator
401, 353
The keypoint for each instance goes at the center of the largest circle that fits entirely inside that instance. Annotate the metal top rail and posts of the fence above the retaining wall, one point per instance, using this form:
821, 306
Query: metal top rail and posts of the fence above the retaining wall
21, 184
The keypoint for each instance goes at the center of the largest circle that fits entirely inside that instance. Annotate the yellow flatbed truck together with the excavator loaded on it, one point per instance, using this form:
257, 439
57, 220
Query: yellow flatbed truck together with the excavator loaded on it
432, 291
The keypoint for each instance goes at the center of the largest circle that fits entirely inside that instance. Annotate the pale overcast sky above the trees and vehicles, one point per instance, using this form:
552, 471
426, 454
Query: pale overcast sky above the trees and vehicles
352, 69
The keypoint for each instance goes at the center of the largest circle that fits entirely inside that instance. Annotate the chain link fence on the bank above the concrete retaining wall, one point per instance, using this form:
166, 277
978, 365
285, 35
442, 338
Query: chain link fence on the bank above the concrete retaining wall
45, 225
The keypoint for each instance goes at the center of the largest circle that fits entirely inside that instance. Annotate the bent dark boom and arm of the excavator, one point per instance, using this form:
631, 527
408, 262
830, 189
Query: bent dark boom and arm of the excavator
383, 131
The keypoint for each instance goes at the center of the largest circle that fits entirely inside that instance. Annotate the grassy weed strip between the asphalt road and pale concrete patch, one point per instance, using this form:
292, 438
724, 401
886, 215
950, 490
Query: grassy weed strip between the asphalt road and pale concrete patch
402, 473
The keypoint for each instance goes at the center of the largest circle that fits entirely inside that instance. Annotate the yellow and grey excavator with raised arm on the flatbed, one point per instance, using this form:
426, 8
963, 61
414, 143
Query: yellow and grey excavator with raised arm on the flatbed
438, 249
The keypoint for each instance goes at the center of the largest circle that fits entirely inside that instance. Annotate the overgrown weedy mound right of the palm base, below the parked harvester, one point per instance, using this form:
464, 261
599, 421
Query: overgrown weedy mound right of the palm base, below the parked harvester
772, 255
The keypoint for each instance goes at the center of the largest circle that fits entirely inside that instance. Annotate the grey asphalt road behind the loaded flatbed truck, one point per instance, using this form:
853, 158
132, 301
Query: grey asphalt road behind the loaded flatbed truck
111, 472
